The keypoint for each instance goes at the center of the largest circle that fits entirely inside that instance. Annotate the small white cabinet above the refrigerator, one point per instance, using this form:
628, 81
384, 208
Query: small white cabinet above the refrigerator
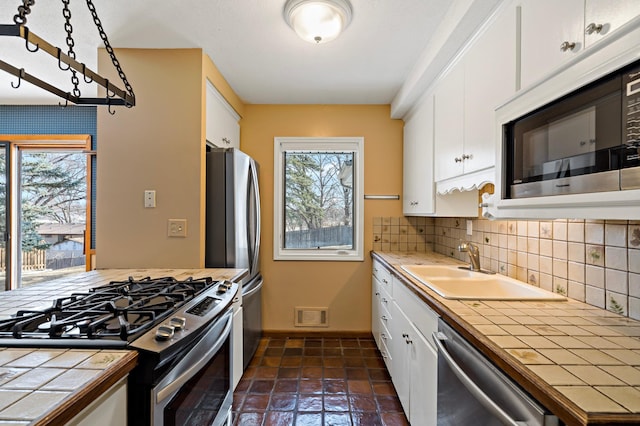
222, 128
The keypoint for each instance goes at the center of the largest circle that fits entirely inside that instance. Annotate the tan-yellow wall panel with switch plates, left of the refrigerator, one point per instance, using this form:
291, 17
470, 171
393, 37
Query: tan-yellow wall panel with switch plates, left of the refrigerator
157, 145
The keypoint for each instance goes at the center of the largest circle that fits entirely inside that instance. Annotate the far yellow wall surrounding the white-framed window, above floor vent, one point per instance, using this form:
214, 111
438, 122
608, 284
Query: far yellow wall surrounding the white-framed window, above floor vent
344, 287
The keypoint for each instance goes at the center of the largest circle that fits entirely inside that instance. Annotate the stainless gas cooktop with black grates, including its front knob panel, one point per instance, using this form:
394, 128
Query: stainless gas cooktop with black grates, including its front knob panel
120, 313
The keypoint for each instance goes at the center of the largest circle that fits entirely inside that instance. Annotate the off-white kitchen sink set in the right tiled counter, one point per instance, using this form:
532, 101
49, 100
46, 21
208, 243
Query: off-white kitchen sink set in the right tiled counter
453, 283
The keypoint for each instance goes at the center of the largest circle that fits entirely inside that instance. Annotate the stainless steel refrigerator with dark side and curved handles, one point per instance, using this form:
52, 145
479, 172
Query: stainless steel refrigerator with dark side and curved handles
233, 232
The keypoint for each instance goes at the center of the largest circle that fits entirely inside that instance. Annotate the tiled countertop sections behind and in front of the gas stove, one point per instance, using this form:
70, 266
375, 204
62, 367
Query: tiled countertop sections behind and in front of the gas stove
52, 385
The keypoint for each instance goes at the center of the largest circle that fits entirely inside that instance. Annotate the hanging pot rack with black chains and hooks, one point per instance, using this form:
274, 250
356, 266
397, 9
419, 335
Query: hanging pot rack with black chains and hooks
115, 96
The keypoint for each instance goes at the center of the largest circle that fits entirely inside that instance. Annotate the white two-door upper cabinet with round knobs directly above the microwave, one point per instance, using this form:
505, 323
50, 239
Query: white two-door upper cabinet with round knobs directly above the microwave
553, 32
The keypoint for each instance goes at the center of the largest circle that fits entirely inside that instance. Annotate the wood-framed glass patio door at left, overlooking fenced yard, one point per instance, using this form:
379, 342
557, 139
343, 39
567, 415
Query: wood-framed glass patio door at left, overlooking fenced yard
45, 198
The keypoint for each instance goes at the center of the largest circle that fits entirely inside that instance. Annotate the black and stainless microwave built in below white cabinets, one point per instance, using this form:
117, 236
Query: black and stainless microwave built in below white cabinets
586, 141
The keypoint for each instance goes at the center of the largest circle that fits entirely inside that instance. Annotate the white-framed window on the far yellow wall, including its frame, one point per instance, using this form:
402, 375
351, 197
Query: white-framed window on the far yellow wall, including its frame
318, 208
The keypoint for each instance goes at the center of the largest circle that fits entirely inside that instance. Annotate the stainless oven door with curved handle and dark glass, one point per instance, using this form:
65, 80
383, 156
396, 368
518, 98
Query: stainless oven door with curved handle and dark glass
198, 390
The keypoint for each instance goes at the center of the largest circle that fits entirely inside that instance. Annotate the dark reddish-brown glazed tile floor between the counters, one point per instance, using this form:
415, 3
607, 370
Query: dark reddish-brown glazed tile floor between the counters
317, 381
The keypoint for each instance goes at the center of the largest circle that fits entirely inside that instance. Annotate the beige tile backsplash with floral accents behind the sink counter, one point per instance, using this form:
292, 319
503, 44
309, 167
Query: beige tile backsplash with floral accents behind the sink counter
593, 261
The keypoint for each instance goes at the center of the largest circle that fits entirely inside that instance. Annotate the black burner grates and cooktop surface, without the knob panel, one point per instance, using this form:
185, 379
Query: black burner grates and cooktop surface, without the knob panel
120, 310
